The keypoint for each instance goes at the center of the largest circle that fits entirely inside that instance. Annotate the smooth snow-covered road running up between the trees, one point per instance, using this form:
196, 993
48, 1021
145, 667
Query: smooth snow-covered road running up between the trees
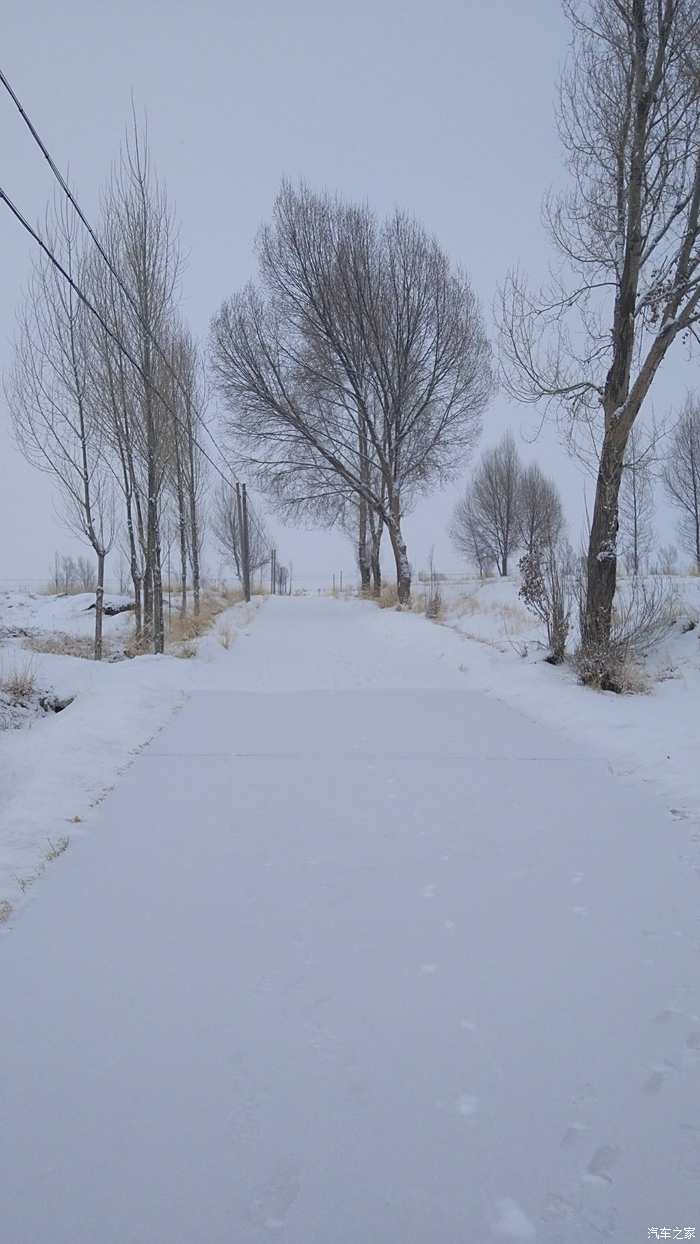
355, 956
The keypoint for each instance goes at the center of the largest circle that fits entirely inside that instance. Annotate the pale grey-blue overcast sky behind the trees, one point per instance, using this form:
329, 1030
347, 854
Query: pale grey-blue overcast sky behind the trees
444, 109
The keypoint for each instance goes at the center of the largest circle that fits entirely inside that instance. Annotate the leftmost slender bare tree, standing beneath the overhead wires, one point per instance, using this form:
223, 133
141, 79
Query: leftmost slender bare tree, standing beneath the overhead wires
53, 402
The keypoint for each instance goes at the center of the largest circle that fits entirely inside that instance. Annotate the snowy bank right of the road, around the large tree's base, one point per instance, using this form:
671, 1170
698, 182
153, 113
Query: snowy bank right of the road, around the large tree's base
653, 738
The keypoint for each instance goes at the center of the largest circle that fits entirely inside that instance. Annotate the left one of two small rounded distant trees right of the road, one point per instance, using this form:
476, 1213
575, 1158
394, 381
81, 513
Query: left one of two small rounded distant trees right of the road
493, 502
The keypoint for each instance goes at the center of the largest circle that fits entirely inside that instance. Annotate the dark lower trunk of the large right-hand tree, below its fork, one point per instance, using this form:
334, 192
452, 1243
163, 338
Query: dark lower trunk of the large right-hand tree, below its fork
602, 549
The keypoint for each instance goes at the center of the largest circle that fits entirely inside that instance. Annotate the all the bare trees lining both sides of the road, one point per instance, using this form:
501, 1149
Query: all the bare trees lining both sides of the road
355, 373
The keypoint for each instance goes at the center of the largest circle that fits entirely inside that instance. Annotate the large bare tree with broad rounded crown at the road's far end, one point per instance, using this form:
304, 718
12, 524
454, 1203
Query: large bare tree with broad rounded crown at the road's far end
360, 335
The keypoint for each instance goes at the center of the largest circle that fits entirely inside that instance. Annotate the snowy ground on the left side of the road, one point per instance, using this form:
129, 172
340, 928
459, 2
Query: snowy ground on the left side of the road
54, 776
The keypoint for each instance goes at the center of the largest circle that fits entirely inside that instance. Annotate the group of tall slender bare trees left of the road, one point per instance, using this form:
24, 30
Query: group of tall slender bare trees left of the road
109, 395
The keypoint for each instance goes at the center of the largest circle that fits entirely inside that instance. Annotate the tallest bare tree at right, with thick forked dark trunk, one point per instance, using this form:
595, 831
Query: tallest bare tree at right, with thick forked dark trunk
629, 231
